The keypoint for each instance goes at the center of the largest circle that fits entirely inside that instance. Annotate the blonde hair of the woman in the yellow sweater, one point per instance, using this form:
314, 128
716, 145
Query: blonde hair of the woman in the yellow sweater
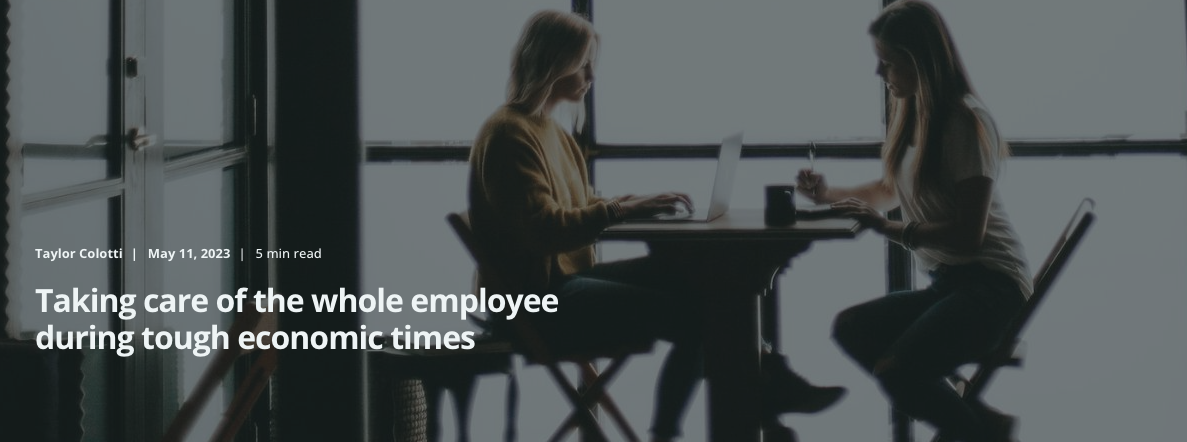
553, 46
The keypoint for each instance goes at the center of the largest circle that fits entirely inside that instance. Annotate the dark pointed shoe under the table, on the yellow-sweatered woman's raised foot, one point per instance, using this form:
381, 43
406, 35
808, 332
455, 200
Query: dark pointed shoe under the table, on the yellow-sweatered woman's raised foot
785, 392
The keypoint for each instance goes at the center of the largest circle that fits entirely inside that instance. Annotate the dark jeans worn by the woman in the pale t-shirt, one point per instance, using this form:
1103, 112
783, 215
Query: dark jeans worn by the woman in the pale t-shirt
910, 342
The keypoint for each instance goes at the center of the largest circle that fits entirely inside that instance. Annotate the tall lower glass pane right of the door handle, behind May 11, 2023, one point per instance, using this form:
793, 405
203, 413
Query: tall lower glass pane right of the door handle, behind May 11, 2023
198, 218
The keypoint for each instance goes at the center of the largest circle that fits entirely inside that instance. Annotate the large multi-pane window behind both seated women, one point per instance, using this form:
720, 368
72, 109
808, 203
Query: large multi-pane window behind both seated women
1108, 83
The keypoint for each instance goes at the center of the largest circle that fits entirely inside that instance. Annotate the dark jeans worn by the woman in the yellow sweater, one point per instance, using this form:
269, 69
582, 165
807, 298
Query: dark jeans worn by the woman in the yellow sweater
623, 302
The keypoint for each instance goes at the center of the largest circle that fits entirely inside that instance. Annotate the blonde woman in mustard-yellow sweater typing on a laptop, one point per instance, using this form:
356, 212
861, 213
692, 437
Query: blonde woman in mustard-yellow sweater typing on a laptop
531, 203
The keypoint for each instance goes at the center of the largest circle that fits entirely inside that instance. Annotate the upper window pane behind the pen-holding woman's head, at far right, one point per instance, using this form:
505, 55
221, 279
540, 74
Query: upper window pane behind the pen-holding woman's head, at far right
1070, 70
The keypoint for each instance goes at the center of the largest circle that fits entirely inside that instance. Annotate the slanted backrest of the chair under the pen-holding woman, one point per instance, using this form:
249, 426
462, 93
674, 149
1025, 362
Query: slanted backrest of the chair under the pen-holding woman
1057, 261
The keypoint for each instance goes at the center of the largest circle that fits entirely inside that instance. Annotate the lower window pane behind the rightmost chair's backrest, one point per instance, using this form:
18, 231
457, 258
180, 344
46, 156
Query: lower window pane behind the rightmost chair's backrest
1105, 340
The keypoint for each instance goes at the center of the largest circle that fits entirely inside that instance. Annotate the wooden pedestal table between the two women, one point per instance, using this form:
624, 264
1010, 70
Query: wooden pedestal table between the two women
734, 260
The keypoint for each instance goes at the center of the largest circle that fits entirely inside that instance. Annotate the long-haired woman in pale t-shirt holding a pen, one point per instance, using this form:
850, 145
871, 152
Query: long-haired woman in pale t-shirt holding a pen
942, 159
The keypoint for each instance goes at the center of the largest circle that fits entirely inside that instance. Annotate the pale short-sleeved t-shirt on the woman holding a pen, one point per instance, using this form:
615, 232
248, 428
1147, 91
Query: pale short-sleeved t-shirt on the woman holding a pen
964, 159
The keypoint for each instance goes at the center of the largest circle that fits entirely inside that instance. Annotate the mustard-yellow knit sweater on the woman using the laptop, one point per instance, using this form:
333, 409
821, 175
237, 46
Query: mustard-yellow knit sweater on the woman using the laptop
531, 201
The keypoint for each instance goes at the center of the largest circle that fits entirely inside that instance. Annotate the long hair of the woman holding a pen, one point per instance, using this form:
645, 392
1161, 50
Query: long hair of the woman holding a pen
916, 29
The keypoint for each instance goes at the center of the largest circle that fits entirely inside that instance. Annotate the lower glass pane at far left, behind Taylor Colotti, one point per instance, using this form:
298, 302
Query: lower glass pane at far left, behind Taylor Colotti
73, 231
